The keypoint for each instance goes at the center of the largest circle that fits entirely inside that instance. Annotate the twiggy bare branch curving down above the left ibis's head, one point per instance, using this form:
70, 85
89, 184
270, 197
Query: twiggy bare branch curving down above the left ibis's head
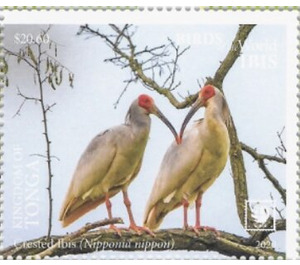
129, 58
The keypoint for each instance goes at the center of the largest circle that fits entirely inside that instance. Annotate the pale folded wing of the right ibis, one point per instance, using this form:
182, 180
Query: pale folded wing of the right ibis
177, 165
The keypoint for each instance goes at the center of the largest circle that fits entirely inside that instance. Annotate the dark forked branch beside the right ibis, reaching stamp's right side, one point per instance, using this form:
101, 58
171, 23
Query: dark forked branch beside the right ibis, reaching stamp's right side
261, 163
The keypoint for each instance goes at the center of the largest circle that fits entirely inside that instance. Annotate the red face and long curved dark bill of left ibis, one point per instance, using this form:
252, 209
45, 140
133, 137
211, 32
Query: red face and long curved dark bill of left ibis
148, 104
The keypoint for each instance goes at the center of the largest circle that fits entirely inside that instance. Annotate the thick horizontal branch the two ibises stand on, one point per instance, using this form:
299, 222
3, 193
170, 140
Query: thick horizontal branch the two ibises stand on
81, 242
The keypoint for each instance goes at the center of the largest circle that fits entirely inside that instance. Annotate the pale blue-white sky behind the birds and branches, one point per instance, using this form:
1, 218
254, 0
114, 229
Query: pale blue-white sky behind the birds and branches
255, 97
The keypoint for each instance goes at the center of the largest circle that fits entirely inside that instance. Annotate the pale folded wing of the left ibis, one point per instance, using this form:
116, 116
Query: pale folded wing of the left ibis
92, 167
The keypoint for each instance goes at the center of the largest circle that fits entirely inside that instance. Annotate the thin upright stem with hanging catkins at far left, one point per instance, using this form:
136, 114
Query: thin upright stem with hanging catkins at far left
45, 68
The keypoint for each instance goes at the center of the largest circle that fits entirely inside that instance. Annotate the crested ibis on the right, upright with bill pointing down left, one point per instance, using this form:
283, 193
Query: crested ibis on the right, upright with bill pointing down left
188, 169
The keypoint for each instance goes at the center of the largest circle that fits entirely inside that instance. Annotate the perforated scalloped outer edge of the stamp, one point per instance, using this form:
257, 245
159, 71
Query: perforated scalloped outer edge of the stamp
137, 8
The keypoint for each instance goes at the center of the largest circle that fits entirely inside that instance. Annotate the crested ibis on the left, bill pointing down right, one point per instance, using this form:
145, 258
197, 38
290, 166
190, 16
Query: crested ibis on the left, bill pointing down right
110, 163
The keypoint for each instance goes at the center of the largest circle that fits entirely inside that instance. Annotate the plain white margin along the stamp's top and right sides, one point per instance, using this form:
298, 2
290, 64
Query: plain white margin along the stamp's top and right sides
147, 15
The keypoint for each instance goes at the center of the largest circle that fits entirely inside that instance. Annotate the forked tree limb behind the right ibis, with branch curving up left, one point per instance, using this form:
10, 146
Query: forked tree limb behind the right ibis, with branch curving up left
125, 58
